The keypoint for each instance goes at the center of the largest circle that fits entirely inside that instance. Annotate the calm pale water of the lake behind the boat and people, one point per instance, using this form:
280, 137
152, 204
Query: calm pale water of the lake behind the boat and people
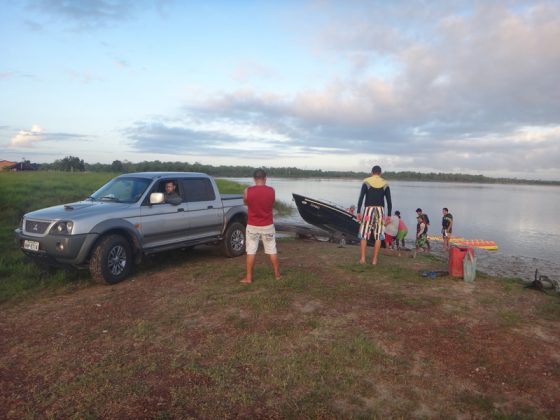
523, 219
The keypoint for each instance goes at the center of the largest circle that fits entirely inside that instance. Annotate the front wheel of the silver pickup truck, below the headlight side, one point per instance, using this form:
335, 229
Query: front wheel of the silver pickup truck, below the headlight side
111, 260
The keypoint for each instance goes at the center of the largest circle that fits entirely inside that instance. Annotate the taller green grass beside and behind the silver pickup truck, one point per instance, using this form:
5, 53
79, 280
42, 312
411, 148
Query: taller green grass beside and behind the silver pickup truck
23, 192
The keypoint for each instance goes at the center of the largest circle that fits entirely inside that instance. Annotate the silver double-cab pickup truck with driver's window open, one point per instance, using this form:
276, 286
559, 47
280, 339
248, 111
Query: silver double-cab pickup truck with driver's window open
131, 216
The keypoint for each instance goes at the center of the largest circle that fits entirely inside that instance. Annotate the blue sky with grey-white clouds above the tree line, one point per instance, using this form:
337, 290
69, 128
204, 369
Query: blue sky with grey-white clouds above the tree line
445, 86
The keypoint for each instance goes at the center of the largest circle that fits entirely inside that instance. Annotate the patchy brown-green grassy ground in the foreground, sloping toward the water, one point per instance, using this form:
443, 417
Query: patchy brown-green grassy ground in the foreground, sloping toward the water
183, 338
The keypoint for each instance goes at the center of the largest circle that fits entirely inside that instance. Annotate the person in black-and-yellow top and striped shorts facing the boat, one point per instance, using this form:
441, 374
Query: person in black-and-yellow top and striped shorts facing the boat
375, 191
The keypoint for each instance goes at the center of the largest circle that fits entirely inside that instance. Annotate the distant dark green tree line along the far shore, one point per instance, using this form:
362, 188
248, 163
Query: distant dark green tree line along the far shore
75, 164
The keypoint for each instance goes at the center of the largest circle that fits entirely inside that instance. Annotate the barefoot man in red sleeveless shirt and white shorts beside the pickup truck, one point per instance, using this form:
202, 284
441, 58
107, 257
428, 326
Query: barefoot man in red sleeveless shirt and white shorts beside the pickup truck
260, 200
